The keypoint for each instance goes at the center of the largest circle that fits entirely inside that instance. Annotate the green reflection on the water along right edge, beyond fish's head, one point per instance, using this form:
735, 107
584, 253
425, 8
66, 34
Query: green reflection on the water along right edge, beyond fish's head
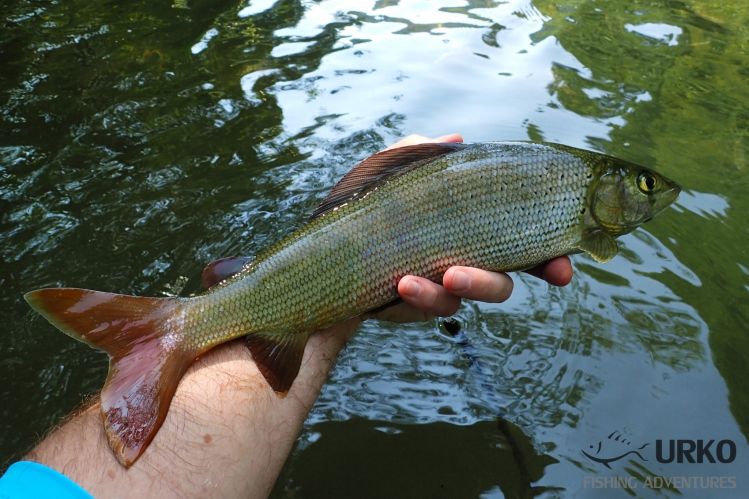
693, 124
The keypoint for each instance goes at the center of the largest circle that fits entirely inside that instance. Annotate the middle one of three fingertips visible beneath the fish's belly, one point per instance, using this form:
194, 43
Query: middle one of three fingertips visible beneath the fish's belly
476, 284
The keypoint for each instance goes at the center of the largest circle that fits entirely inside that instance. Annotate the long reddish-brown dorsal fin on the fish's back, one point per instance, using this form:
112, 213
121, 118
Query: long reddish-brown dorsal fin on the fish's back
377, 168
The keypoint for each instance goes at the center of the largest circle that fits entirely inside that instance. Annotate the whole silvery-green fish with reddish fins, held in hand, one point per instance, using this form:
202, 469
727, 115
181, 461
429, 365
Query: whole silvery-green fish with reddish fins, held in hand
415, 210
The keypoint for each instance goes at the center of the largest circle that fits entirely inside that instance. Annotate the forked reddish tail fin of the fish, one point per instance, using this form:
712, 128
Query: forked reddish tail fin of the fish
147, 358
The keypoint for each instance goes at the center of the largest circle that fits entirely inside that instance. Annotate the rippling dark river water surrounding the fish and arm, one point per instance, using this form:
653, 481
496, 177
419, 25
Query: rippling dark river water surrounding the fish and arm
140, 141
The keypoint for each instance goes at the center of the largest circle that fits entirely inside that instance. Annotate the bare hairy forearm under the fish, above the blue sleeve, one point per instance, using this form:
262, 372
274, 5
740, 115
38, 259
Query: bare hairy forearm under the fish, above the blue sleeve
227, 433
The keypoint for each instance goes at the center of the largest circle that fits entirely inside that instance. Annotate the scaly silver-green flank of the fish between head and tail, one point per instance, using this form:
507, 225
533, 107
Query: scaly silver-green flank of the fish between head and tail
442, 214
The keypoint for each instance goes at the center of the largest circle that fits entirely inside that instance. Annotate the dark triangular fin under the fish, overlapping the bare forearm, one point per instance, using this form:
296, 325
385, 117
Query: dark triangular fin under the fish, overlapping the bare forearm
278, 357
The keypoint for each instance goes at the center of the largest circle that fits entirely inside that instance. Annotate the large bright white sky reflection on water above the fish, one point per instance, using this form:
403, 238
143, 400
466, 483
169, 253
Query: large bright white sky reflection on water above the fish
405, 62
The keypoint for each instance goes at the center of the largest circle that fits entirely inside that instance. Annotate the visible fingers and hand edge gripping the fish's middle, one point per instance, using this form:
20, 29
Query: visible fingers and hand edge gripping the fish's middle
424, 299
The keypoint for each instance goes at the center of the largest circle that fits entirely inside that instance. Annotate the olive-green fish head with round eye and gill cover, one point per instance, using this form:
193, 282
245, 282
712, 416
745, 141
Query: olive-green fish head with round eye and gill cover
626, 195
